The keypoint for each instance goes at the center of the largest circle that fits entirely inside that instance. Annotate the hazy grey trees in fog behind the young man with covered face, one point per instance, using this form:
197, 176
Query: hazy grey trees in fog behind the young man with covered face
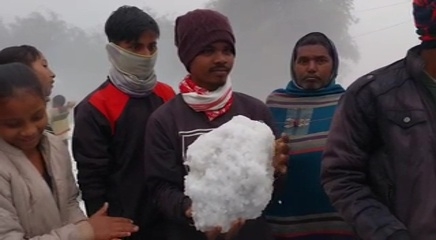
78, 57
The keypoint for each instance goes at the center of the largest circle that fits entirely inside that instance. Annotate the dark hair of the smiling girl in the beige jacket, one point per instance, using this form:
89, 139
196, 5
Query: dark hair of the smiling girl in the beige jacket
15, 76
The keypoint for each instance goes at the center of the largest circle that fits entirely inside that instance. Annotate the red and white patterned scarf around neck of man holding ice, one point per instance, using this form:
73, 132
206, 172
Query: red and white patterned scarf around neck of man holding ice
213, 104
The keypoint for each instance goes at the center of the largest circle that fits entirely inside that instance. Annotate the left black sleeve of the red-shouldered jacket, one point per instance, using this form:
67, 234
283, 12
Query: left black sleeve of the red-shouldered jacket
91, 139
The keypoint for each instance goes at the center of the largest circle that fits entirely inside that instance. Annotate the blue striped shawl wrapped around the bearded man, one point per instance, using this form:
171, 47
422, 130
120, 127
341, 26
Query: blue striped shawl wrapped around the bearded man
302, 210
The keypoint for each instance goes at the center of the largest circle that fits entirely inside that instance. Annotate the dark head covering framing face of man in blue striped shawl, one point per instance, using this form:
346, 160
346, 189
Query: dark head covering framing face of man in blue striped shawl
317, 38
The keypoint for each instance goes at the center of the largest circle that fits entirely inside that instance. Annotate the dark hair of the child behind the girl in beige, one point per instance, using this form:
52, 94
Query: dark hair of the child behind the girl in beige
23, 54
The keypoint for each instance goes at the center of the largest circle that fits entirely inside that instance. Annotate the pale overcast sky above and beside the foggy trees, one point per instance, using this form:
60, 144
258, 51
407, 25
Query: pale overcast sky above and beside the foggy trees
383, 34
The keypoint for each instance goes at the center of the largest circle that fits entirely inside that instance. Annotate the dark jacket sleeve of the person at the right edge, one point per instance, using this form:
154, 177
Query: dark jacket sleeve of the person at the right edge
345, 166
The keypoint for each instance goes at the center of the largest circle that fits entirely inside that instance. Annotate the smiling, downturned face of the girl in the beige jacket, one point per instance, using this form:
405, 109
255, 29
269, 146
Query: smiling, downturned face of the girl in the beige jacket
23, 119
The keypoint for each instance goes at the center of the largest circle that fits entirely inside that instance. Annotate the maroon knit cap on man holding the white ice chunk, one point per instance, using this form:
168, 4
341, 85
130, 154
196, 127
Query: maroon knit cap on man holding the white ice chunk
199, 28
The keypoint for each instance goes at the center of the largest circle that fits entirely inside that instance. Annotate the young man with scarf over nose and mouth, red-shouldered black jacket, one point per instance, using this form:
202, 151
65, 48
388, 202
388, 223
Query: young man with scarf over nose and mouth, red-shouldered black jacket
108, 138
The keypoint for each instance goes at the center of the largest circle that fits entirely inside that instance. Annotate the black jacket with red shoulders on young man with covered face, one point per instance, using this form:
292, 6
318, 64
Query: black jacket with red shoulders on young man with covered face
108, 146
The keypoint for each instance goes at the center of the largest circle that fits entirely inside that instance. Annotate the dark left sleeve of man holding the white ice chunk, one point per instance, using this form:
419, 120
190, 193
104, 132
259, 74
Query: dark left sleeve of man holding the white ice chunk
165, 172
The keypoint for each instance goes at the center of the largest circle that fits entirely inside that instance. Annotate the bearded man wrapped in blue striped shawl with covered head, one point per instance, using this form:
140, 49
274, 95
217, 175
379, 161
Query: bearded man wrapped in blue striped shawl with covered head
304, 110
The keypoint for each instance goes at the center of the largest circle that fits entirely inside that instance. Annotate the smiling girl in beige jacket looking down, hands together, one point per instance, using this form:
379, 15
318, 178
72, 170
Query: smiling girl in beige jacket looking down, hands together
38, 194
